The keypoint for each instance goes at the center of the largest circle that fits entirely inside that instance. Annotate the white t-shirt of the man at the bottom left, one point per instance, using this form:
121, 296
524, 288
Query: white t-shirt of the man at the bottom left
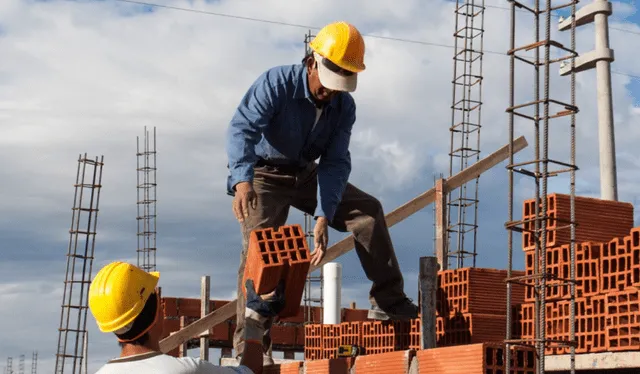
159, 363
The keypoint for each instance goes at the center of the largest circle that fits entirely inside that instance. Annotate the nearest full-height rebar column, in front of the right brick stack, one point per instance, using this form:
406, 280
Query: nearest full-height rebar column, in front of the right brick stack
539, 226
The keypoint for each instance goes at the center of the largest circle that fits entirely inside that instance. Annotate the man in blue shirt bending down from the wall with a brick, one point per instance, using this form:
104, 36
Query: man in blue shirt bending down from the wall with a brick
289, 117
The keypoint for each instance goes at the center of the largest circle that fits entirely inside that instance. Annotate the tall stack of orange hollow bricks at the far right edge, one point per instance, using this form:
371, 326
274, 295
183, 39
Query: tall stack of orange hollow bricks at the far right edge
607, 266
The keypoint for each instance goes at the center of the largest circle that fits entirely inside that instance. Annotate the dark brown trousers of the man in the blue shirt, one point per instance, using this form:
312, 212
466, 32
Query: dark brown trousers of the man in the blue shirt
358, 213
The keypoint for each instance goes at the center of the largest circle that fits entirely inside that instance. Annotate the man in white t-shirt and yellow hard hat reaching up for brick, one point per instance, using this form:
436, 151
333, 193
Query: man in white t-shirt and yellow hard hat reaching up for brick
123, 299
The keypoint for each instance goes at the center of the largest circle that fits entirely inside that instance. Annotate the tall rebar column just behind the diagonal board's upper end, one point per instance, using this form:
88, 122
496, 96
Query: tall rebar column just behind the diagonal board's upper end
462, 222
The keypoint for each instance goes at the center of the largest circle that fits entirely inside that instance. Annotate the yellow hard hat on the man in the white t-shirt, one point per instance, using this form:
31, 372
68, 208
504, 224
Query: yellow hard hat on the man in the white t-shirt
118, 294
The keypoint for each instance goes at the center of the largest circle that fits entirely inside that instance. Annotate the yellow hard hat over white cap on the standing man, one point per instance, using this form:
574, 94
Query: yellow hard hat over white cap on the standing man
341, 44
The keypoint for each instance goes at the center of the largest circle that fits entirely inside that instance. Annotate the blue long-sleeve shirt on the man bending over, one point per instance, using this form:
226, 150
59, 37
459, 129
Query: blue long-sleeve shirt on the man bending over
275, 121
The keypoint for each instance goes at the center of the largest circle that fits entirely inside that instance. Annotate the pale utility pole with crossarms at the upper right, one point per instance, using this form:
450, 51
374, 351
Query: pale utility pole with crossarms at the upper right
600, 58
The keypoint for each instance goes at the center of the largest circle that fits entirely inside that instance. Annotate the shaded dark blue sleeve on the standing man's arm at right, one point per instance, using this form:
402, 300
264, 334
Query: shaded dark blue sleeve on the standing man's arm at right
334, 167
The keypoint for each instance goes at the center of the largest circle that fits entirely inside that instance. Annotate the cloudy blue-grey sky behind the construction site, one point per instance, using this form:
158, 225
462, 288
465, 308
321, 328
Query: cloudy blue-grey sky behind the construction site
87, 76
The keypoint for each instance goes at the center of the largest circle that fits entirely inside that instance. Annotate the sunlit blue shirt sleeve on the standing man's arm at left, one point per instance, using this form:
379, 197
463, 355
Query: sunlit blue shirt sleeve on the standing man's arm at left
245, 130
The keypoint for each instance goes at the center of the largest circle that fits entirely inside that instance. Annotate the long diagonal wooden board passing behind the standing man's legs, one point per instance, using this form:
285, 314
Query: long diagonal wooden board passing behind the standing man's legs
345, 245
